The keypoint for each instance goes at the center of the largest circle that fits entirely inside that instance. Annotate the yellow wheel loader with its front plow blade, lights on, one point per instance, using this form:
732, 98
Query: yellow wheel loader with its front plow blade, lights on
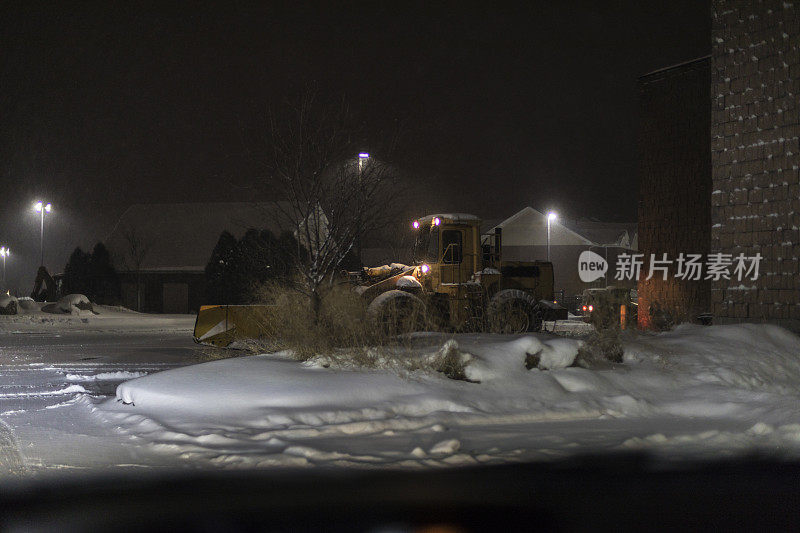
459, 282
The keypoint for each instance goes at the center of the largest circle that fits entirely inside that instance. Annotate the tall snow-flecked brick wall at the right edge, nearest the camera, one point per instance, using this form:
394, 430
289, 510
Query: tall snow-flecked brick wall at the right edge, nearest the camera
755, 86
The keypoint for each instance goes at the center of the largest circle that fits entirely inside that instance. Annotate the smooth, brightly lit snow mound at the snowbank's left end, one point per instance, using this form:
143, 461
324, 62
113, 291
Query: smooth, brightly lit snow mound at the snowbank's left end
259, 387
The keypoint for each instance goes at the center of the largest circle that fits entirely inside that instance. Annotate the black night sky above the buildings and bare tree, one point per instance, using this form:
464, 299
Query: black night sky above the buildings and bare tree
502, 107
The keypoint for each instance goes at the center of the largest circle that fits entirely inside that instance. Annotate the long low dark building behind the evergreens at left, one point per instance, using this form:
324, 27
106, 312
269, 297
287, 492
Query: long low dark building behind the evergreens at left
167, 246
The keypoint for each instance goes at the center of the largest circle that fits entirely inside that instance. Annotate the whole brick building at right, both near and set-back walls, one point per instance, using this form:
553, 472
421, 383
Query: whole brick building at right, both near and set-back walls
719, 168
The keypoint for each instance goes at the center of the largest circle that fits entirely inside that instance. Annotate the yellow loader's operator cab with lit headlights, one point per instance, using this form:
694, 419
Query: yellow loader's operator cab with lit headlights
450, 245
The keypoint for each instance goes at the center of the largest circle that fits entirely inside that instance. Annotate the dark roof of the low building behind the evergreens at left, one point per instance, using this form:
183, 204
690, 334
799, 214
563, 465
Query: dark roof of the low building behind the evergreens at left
182, 236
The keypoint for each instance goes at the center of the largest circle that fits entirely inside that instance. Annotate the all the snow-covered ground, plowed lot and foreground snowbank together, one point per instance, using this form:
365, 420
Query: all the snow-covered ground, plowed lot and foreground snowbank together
693, 393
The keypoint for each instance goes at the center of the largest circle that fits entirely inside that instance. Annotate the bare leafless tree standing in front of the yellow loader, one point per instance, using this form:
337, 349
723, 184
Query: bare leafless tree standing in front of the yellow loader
329, 197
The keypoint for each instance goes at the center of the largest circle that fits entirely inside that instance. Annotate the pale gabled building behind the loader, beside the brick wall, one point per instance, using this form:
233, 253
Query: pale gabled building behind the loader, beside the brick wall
524, 238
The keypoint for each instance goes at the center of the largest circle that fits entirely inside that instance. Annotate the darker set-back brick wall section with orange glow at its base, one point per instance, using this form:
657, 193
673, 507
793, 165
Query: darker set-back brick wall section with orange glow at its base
674, 183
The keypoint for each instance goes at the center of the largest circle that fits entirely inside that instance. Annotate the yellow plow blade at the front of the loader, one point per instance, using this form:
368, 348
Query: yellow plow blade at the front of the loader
220, 325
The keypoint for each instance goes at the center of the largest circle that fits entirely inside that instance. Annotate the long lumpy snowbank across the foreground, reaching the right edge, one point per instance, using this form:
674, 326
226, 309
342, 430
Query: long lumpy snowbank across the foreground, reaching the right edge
262, 410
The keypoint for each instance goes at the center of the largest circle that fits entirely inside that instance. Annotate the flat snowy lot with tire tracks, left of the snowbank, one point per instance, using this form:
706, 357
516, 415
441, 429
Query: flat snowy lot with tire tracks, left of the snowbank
54, 368
